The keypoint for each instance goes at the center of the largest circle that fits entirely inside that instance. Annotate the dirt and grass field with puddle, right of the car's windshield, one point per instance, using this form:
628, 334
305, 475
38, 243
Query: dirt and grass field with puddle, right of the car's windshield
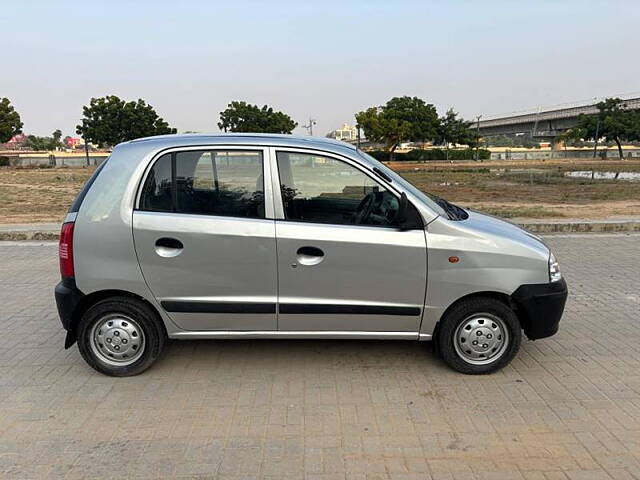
535, 189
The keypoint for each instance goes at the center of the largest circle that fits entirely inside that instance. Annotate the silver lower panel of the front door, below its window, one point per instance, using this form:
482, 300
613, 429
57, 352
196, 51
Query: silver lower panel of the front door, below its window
373, 266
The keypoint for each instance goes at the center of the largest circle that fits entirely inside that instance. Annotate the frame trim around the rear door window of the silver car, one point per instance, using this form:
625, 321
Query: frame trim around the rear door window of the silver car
173, 151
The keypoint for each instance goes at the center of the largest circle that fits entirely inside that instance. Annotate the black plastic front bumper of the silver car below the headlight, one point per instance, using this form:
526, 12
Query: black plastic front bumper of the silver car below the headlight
540, 307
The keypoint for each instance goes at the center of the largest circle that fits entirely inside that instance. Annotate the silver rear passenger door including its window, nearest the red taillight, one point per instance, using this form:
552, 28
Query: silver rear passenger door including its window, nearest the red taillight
205, 238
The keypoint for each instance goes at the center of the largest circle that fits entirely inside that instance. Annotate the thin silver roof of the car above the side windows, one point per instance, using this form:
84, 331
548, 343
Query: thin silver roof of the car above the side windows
265, 139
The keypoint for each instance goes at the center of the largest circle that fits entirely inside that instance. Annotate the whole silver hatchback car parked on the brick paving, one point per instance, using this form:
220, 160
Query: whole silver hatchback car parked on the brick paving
276, 236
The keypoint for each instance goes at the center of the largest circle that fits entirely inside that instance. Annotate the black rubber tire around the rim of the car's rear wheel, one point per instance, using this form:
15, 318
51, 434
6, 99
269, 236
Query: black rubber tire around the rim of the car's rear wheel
147, 320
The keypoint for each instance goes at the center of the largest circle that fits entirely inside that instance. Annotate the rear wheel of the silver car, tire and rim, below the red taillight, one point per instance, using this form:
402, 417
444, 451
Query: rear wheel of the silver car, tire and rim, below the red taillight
120, 336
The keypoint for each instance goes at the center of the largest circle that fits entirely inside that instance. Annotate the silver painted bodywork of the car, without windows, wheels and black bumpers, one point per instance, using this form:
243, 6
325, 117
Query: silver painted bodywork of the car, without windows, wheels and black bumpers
495, 255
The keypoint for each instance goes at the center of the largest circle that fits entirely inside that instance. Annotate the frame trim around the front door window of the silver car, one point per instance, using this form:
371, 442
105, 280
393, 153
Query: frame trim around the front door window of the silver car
334, 156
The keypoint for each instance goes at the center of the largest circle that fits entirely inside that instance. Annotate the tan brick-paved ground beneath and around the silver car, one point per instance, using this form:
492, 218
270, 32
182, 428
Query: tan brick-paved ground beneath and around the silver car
567, 408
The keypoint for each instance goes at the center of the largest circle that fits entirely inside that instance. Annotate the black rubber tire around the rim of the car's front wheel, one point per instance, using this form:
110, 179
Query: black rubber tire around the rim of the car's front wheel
465, 311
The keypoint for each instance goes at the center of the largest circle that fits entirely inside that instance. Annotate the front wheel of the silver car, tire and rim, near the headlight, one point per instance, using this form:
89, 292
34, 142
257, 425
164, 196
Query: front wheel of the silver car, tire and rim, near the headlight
479, 335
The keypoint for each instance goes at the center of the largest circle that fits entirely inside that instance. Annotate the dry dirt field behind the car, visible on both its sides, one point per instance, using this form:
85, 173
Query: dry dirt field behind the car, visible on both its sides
523, 189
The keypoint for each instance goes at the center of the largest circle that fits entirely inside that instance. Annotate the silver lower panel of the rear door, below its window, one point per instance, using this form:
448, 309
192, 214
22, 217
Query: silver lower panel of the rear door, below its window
224, 260
